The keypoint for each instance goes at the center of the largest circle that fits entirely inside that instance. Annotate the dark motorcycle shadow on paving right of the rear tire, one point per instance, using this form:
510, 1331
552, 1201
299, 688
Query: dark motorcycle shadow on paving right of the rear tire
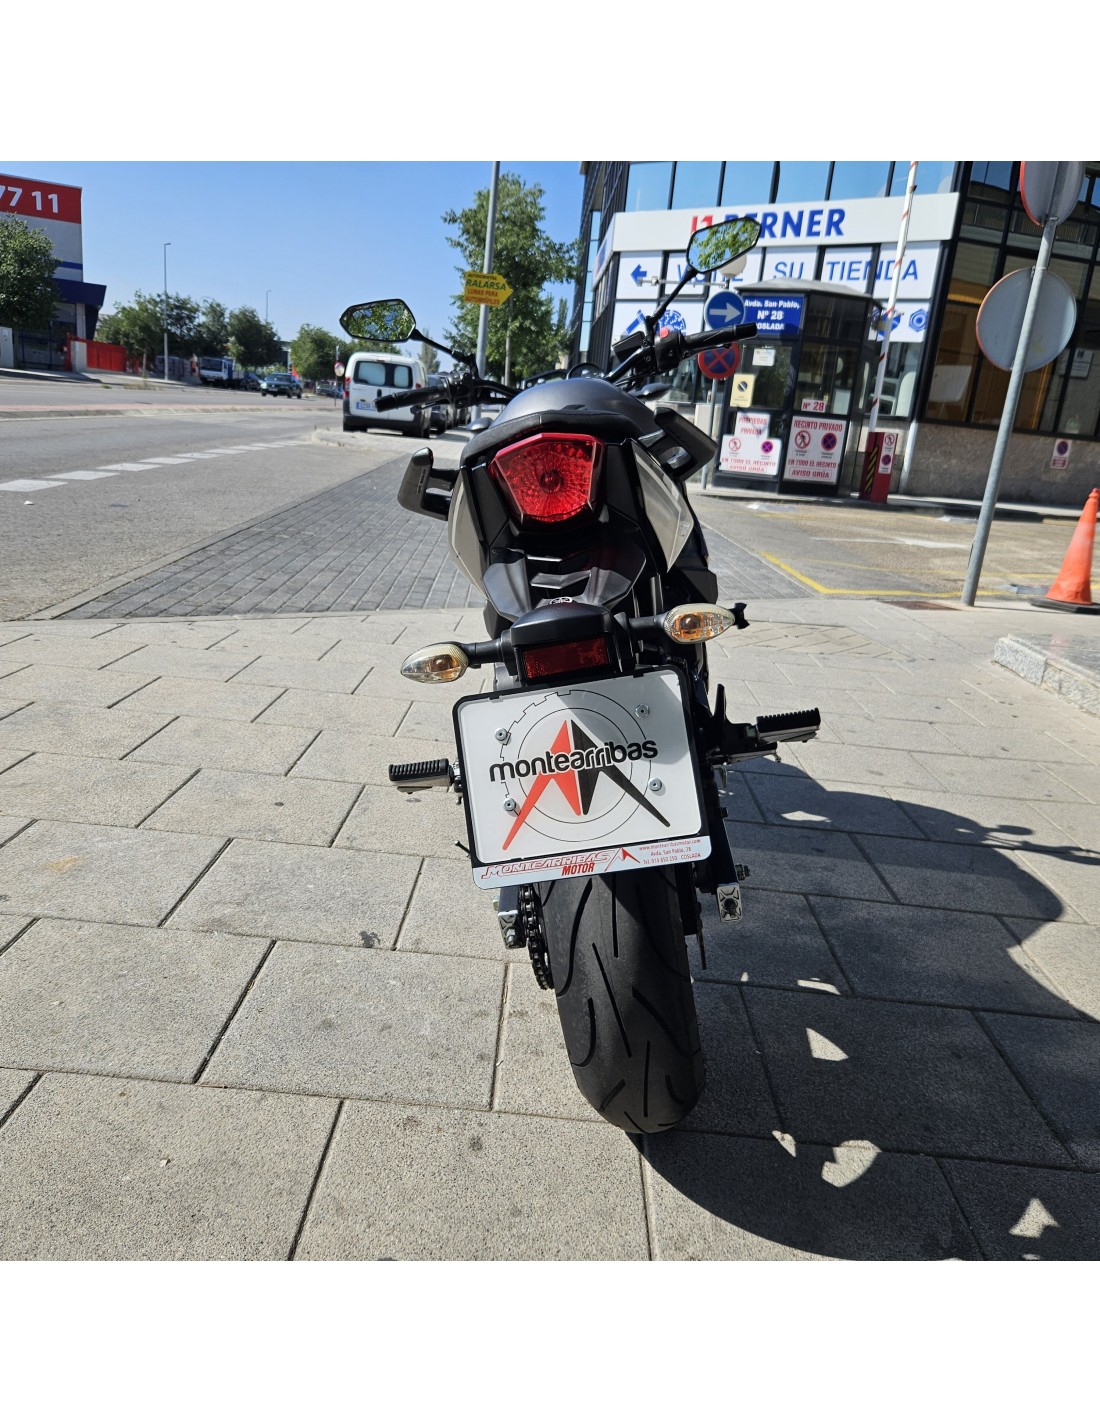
902, 1042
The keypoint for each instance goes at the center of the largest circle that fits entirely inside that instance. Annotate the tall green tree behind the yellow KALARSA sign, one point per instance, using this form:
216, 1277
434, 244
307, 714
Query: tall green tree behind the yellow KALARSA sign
524, 336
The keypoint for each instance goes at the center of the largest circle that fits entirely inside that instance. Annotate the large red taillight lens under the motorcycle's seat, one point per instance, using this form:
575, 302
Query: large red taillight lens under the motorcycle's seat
549, 479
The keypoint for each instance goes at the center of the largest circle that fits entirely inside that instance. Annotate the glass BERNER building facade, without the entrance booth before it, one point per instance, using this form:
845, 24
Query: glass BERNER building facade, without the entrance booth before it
943, 395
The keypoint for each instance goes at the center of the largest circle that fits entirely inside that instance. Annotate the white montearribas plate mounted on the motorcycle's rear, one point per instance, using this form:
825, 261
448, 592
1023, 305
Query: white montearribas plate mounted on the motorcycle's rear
586, 780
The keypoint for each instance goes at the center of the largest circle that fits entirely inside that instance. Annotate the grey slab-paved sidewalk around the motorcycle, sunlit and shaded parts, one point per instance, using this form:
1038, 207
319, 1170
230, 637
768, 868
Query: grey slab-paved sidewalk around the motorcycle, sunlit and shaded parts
252, 1006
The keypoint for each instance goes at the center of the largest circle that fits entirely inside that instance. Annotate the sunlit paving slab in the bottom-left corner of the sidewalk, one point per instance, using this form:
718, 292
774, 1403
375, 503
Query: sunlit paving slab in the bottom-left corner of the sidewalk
110, 1170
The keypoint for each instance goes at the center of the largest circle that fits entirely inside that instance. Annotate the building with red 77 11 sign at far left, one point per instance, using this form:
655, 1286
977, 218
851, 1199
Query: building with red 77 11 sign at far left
56, 210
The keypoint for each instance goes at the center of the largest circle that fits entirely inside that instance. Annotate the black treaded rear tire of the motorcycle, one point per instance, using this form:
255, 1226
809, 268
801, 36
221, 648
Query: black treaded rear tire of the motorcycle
625, 996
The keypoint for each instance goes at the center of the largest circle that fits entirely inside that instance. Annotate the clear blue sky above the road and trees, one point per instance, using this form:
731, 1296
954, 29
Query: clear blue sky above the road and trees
316, 235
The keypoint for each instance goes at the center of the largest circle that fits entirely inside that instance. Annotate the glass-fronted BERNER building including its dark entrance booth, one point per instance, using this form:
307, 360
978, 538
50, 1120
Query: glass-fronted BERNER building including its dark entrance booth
826, 258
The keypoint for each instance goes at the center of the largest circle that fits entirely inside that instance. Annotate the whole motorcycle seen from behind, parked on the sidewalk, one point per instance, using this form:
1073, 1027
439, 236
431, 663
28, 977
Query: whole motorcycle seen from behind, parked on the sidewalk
588, 774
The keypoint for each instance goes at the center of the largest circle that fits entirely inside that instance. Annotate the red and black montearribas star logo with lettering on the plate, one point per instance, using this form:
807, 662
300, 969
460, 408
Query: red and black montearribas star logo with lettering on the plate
578, 767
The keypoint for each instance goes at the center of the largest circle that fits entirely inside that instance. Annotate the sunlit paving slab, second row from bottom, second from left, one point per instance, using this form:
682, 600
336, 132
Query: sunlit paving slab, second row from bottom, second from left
359, 1022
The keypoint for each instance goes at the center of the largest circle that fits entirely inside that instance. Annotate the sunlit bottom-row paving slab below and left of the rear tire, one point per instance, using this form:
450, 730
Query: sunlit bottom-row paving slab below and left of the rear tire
414, 1184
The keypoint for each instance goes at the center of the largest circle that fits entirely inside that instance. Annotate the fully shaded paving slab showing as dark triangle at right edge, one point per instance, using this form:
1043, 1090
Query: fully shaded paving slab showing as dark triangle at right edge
1059, 1064
